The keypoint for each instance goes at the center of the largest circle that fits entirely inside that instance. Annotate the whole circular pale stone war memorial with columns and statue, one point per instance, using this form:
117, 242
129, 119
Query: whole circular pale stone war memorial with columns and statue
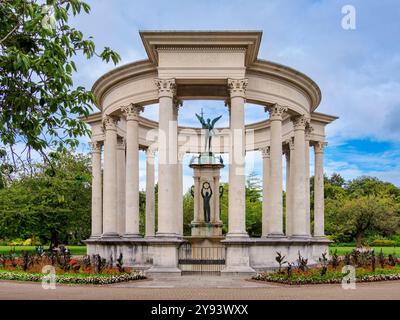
193, 65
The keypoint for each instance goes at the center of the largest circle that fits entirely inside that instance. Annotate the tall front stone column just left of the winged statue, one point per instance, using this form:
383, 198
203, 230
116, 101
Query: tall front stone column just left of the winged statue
167, 159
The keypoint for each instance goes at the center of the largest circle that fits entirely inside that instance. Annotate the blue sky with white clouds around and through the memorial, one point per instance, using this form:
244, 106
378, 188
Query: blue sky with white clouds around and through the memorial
356, 69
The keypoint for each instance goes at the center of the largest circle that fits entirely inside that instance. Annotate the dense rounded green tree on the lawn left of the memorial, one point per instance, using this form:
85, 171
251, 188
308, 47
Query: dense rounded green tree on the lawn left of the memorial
53, 204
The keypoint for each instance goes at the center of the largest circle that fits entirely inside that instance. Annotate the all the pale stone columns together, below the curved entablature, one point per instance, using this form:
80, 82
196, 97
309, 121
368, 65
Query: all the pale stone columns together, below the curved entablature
120, 180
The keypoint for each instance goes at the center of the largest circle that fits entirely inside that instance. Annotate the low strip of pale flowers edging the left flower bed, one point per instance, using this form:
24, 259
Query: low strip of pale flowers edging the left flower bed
72, 278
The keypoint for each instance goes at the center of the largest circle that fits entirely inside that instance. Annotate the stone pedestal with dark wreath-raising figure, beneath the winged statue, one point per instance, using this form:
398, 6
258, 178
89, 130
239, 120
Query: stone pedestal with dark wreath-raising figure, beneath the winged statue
206, 193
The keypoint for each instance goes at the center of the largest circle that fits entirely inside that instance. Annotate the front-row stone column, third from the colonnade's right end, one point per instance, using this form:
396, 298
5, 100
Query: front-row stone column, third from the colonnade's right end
275, 228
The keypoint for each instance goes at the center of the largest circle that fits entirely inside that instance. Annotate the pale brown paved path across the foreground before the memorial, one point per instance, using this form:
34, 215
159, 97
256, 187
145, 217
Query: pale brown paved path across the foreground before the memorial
199, 288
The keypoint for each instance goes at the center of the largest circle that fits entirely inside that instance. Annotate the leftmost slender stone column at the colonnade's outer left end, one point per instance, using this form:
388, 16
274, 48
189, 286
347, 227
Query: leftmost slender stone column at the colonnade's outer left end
97, 216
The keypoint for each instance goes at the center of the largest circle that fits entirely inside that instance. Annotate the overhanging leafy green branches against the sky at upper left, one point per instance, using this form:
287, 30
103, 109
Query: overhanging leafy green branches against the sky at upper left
39, 105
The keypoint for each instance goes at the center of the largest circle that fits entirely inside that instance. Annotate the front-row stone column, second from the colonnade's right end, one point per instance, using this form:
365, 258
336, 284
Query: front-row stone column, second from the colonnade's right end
299, 175
